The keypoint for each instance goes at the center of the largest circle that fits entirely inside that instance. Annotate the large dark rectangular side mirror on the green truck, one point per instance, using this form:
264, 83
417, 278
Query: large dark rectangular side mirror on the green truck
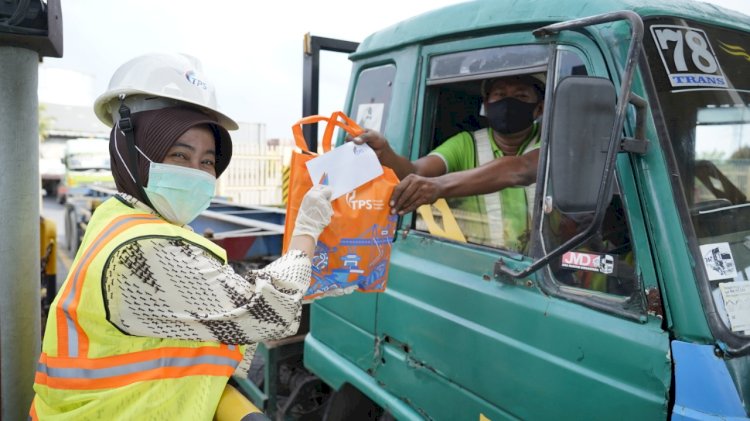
583, 115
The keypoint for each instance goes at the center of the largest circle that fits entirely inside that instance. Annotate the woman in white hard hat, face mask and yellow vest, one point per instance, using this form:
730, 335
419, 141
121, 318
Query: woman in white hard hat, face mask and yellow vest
151, 321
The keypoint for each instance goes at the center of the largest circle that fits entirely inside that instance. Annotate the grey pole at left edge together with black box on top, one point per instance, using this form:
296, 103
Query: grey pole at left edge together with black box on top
29, 30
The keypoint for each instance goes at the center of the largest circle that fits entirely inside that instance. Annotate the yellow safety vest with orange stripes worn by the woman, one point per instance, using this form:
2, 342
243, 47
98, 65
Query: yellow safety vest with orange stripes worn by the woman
90, 370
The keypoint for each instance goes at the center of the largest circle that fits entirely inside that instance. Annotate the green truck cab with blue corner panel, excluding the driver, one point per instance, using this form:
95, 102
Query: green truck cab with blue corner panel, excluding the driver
632, 301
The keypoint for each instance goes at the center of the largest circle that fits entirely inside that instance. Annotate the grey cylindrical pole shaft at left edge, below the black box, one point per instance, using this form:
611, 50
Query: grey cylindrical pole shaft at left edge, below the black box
19, 227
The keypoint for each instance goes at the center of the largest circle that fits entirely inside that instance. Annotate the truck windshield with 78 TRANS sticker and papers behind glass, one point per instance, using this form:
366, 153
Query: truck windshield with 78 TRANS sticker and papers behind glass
700, 73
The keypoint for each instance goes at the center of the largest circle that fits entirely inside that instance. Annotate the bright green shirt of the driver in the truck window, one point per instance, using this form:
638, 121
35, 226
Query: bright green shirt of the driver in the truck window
459, 154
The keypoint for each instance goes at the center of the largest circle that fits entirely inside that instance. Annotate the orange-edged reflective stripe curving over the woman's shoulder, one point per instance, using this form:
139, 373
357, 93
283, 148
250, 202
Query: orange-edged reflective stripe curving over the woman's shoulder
72, 340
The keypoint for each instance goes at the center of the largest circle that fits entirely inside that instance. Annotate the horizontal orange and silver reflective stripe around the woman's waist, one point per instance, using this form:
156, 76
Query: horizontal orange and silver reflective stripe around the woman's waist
121, 370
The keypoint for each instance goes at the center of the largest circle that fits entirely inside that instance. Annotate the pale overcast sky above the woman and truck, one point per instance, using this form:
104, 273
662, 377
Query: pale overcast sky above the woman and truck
251, 50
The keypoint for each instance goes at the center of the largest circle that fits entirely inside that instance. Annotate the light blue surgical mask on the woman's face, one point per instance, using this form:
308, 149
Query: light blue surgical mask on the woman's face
178, 193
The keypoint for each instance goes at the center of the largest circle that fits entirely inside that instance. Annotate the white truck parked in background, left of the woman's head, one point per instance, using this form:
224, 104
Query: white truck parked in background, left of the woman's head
86, 164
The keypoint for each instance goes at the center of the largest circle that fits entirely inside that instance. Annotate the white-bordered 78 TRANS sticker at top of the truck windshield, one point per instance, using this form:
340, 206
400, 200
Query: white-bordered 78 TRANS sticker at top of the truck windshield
688, 57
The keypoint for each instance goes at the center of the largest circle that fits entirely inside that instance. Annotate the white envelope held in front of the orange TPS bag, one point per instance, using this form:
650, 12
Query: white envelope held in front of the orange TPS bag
345, 168
